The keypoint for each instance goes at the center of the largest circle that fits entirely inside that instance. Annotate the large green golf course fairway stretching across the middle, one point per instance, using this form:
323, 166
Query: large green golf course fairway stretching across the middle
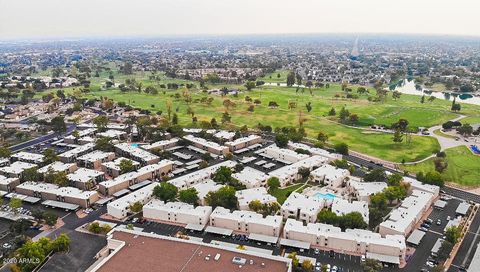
322, 100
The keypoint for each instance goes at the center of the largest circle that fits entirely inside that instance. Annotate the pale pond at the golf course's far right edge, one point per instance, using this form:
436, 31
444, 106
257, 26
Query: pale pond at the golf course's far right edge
408, 87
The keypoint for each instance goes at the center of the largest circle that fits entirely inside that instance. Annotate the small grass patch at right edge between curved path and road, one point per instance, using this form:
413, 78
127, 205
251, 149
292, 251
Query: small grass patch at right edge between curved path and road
463, 167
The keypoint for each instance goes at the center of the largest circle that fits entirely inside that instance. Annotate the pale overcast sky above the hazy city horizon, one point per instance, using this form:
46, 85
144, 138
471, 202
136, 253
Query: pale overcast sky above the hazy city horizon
107, 18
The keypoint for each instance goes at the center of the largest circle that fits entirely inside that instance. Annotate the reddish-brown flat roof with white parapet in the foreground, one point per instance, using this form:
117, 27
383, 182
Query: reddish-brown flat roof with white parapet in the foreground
166, 254
